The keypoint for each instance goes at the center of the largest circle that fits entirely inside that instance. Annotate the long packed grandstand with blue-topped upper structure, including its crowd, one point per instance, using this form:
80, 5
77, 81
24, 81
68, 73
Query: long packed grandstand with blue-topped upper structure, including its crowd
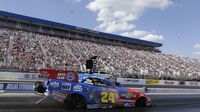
29, 43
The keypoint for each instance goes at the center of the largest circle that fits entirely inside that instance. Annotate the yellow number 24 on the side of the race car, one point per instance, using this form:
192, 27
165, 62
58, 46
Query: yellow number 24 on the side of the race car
107, 97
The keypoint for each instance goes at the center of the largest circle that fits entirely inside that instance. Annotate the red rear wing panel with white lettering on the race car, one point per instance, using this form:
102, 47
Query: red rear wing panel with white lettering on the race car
69, 76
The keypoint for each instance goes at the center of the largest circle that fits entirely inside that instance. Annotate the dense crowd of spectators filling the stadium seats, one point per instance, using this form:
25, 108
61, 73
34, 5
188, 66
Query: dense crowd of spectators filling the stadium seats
31, 51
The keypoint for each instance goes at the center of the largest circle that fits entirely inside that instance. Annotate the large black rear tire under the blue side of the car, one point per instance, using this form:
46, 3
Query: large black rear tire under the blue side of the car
75, 101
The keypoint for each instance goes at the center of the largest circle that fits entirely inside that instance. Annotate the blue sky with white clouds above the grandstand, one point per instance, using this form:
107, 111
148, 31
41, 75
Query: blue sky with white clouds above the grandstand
174, 23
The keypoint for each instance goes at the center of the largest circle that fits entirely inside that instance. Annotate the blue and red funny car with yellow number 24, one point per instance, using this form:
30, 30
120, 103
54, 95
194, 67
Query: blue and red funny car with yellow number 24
79, 90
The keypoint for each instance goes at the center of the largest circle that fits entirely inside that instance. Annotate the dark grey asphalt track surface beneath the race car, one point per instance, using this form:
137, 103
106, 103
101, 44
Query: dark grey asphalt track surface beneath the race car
161, 103
